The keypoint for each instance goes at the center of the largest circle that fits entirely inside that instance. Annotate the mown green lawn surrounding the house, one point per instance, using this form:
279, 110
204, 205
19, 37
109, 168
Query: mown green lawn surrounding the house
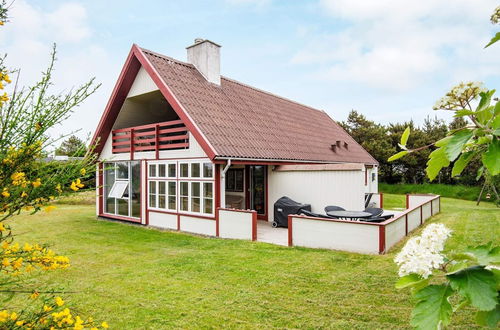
134, 277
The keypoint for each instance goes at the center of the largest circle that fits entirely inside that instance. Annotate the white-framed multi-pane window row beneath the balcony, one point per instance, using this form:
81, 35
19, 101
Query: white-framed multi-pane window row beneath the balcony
191, 191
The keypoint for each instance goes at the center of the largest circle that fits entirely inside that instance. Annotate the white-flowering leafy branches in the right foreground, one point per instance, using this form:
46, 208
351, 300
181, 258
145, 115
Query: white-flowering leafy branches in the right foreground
470, 277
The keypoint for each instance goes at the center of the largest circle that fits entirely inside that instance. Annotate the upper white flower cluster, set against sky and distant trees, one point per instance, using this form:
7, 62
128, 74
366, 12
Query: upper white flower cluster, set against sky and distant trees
458, 97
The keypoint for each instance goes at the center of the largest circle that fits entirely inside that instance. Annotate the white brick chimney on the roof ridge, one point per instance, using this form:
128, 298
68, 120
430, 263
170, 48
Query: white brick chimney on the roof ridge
205, 56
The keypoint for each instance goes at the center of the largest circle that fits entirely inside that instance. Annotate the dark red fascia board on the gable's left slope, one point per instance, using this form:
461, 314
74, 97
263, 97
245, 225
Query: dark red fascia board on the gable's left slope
115, 102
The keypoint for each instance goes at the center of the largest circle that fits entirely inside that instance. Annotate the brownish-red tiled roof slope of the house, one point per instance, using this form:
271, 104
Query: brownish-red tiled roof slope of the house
244, 122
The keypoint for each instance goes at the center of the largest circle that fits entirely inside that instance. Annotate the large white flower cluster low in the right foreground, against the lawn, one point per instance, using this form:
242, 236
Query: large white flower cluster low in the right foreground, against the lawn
422, 254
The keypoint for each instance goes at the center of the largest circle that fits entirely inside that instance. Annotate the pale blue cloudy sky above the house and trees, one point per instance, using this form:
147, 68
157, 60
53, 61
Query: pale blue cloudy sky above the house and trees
389, 59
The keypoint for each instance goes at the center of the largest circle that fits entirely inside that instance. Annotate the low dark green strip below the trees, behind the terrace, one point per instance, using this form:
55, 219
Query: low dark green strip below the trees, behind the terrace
470, 193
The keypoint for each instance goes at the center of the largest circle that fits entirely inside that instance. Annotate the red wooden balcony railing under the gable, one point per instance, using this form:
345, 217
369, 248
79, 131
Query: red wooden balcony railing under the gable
153, 137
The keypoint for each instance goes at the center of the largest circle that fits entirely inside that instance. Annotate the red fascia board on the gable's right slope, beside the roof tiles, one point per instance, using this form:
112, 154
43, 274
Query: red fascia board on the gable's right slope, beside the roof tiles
170, 97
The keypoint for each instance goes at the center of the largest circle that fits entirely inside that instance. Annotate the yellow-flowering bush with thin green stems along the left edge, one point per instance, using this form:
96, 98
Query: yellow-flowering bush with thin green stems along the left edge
27, 183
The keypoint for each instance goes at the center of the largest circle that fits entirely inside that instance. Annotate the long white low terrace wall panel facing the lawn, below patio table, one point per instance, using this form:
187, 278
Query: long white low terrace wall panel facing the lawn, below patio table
345, 236
